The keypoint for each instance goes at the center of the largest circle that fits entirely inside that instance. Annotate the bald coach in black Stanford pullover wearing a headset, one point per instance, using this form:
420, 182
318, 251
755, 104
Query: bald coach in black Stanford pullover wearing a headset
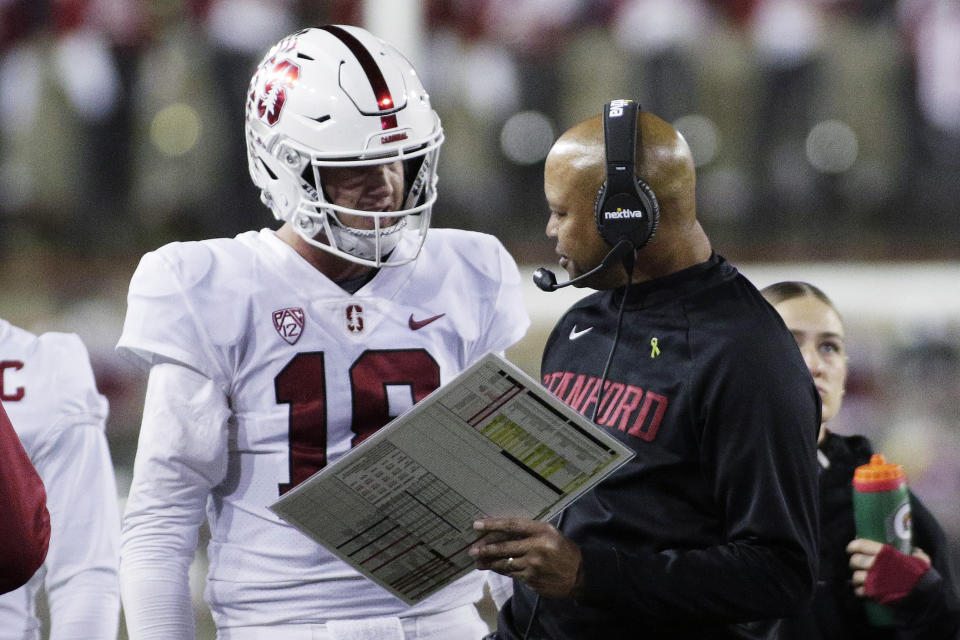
710, 530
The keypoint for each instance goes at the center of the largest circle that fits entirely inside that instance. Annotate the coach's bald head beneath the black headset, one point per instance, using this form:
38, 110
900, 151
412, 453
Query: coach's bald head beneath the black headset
575, 170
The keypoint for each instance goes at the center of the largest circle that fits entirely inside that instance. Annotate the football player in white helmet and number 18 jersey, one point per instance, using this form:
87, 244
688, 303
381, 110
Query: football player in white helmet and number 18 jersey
272, 353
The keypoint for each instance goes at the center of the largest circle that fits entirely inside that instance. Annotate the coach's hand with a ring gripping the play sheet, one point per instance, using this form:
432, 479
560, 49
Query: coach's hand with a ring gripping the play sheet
531, 551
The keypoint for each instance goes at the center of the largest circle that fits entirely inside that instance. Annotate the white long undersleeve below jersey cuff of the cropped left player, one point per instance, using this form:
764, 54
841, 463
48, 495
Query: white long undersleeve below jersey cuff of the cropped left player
81, 578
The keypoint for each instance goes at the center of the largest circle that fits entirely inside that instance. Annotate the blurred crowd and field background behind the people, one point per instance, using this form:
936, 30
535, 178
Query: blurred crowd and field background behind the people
826, 135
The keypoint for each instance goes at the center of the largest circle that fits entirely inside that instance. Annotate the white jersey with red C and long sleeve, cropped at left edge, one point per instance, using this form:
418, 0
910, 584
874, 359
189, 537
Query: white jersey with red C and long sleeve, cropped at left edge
49, 393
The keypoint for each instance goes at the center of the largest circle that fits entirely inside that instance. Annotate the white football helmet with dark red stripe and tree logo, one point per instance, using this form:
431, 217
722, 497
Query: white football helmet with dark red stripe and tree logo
336, 96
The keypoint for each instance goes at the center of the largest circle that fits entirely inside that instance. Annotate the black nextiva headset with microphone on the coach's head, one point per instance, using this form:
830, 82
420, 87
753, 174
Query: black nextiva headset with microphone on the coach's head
626, 210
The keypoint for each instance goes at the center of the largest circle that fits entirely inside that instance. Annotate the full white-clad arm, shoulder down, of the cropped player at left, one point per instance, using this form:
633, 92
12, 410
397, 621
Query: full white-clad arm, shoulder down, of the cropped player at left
74, 461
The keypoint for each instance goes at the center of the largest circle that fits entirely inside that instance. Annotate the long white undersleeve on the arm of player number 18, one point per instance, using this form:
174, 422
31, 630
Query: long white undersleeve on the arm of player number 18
181, 455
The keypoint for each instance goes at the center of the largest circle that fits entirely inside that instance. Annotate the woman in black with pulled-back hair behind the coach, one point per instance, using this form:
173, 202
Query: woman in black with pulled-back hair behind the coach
918, 587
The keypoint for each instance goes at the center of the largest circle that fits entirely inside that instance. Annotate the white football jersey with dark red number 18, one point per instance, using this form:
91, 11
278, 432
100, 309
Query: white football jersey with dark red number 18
309, 371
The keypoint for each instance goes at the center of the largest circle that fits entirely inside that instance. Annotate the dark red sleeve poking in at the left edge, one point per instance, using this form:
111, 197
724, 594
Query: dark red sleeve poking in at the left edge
25, 523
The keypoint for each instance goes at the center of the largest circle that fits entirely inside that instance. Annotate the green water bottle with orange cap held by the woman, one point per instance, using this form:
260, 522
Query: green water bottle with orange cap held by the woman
881, 510
